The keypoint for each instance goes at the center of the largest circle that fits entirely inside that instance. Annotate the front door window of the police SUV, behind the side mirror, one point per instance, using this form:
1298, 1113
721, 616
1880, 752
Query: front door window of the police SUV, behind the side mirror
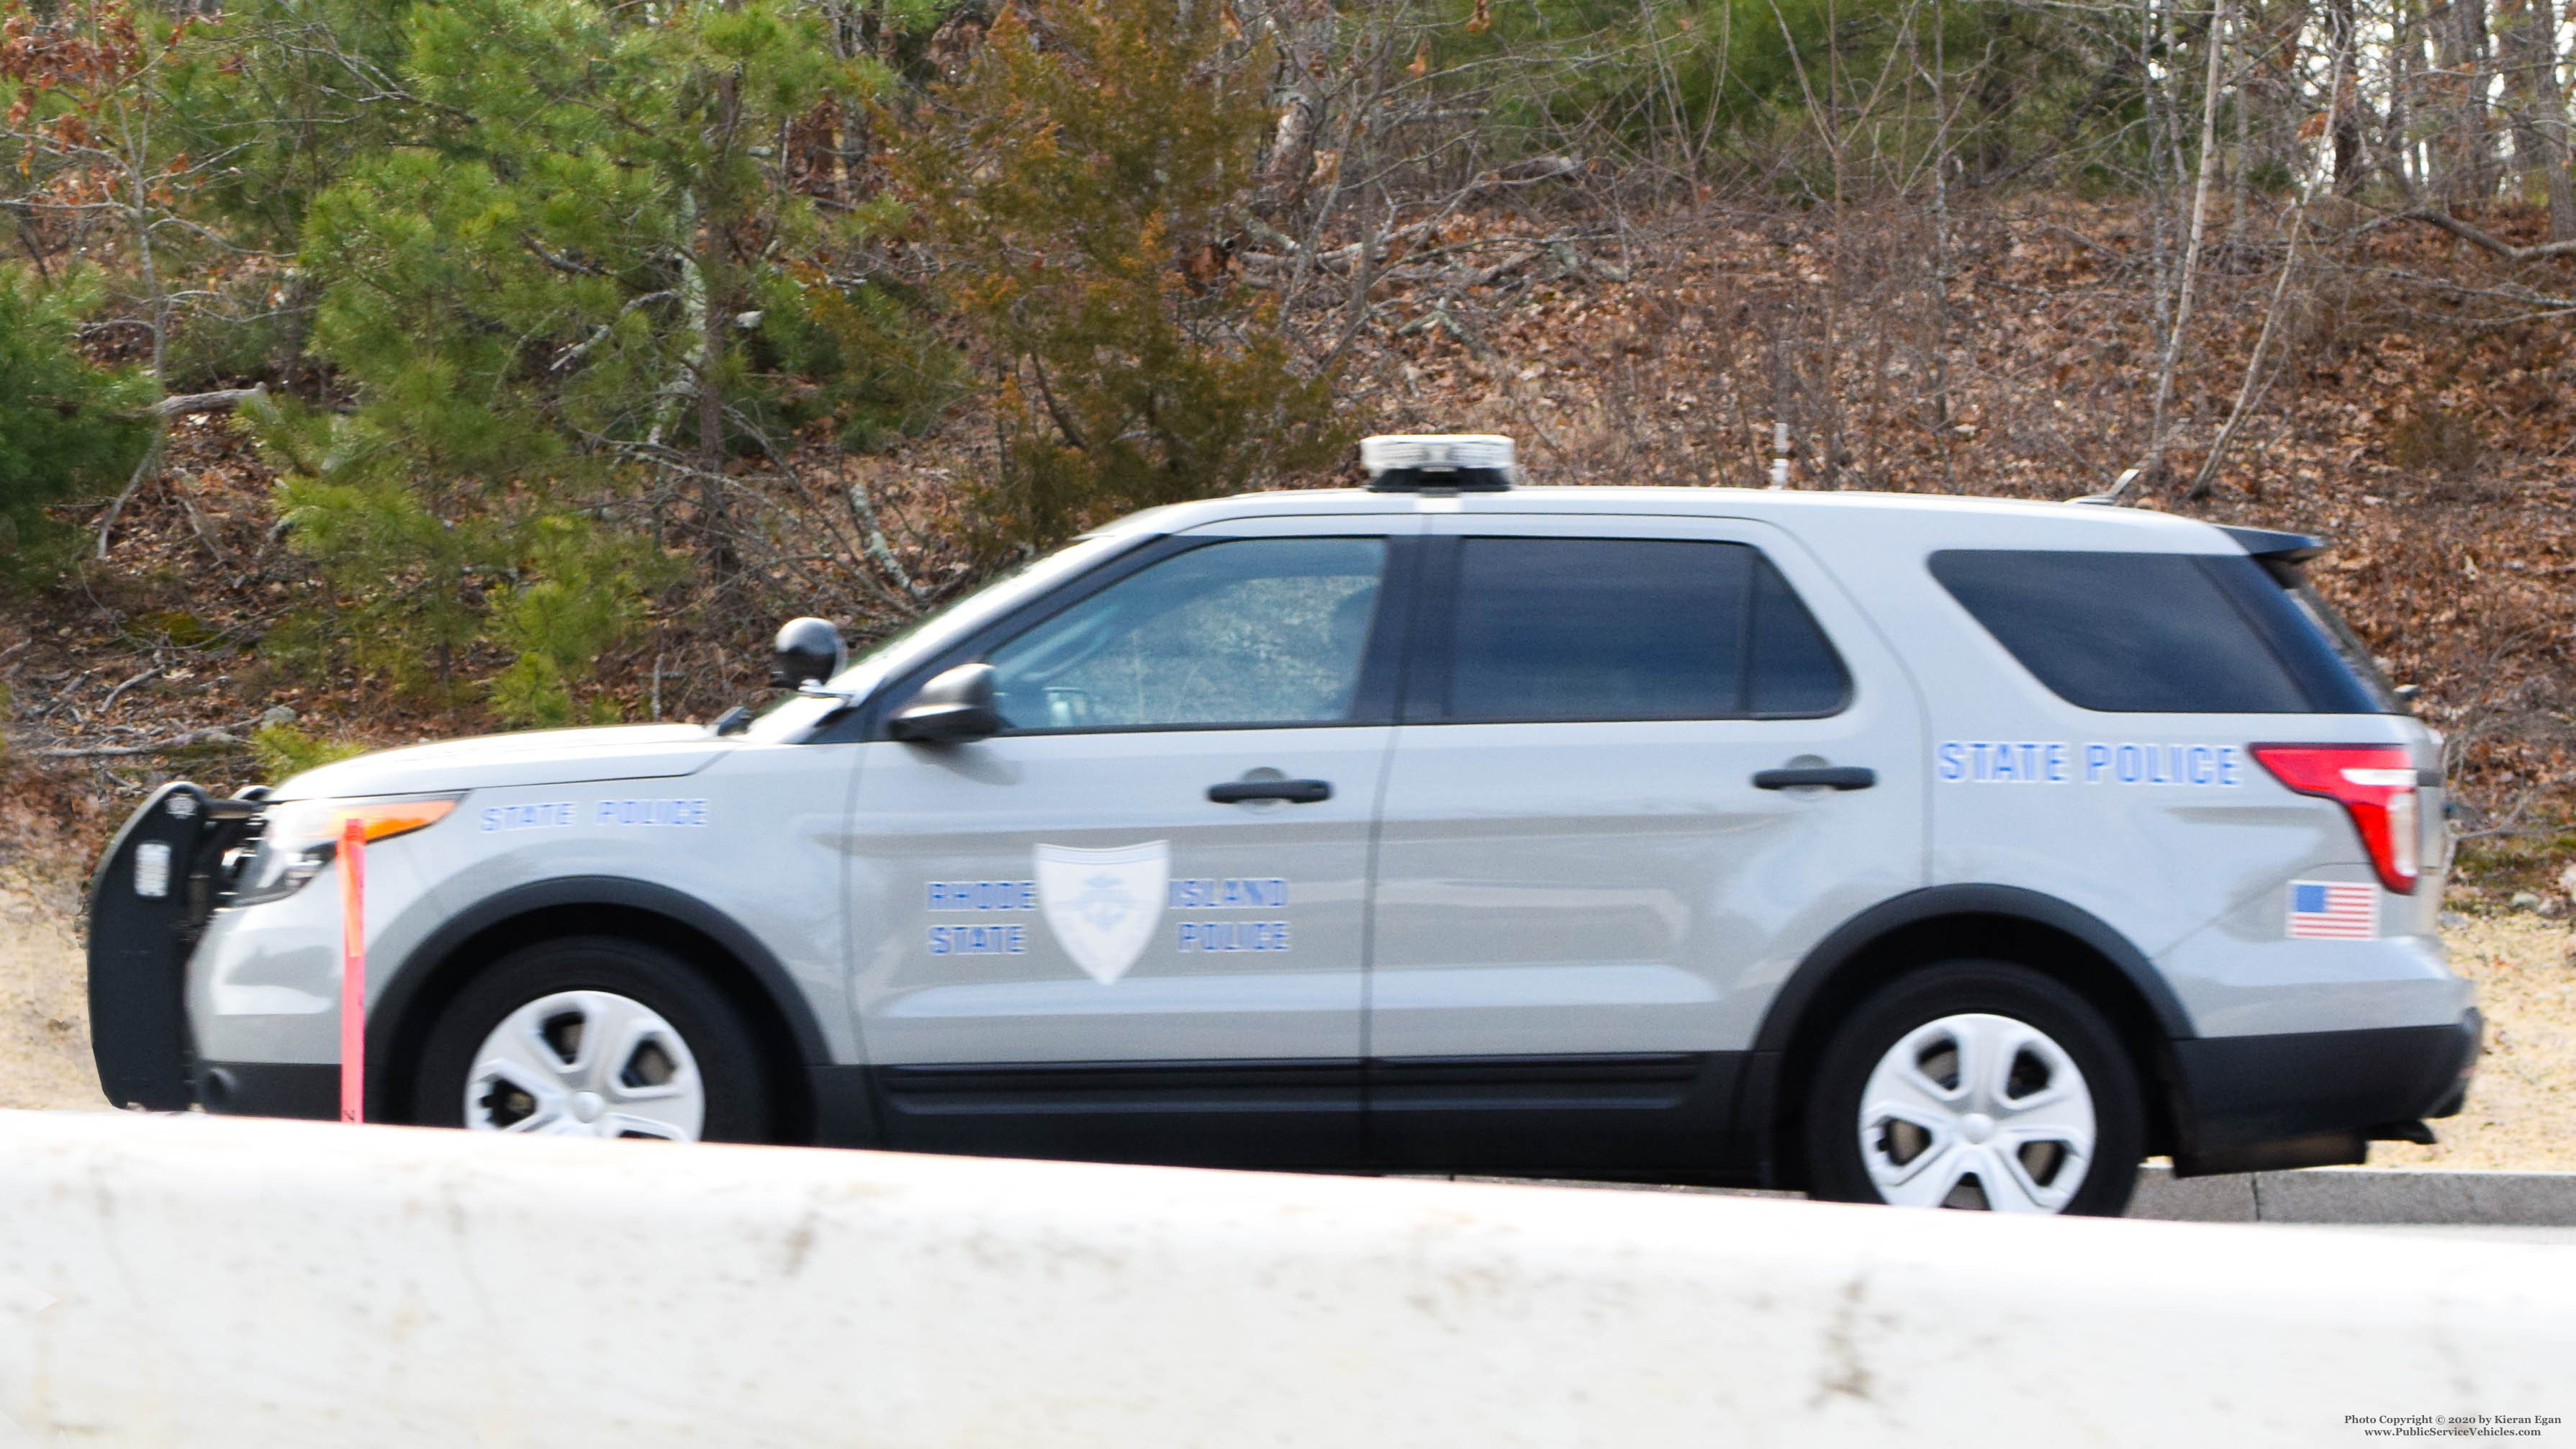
1238, 633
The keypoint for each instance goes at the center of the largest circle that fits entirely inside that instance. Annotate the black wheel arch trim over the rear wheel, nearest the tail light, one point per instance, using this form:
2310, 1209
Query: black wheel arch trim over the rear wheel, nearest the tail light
1995, 922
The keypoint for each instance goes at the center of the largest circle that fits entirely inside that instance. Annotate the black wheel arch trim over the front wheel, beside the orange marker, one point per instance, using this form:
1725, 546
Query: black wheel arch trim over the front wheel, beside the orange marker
710, 940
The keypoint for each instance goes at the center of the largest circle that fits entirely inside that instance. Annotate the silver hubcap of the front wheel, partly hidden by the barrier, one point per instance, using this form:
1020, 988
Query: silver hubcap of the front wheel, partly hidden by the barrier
586, 1064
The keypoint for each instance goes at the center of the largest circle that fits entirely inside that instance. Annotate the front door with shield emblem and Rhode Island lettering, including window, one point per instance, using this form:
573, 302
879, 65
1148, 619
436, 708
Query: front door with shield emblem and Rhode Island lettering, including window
1132, 924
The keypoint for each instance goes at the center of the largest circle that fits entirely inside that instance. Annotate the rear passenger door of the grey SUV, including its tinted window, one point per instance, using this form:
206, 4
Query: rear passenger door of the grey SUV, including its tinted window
1591, 873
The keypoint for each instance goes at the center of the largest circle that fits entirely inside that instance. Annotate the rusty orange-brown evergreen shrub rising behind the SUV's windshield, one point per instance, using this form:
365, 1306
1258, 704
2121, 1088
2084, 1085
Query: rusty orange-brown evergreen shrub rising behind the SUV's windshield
1075, 182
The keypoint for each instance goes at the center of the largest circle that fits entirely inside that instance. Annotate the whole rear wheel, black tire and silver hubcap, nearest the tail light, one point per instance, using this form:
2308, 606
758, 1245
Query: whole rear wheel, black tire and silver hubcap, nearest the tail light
1977, 1084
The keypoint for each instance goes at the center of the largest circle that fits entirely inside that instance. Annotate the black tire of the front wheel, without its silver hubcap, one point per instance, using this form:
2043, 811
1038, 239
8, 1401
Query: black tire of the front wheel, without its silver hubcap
717, 1040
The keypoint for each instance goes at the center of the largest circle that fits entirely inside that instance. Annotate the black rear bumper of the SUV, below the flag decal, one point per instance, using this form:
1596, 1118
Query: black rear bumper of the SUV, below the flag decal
2317, 1097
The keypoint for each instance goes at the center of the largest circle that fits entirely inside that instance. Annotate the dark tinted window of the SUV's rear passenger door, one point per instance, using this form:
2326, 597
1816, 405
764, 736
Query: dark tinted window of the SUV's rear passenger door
1632, 630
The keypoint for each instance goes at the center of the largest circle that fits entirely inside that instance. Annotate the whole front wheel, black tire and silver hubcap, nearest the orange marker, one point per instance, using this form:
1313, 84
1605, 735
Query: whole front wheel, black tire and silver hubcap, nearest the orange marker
594, 1038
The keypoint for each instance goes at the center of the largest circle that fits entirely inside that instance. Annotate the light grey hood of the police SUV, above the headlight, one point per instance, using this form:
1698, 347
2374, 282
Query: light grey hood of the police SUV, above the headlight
498, 762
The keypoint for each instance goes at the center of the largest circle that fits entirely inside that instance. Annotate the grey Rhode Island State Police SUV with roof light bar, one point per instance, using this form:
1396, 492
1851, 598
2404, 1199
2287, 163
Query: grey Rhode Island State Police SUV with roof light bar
1897, 850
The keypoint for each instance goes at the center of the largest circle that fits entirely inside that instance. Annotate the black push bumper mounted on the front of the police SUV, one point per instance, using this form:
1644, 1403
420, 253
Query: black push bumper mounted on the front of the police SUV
148, 904
